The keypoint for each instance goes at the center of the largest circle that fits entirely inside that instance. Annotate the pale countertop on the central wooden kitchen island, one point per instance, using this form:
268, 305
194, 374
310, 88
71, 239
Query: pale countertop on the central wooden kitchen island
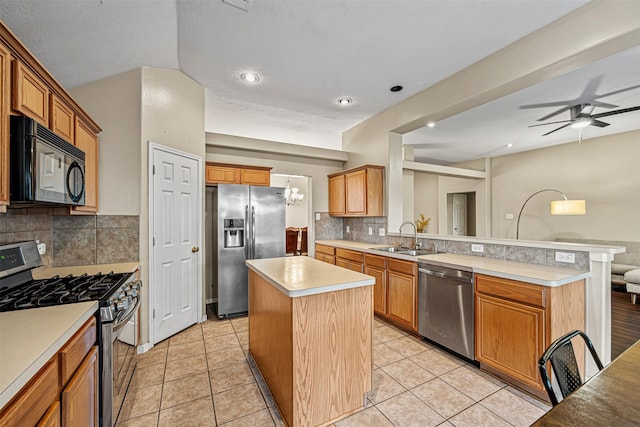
301, 276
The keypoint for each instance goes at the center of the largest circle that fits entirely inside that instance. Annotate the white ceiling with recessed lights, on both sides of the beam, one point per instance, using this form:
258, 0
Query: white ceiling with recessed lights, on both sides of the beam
310, 52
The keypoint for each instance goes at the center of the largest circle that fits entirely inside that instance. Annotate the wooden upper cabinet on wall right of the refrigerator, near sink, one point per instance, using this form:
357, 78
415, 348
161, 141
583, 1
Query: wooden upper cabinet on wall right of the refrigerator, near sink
357, 192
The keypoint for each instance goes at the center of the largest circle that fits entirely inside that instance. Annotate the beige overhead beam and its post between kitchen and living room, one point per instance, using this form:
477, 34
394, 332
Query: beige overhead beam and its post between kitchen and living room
547, 53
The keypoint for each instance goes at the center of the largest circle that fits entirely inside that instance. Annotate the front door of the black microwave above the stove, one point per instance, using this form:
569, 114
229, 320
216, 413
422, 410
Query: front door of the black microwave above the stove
59, 176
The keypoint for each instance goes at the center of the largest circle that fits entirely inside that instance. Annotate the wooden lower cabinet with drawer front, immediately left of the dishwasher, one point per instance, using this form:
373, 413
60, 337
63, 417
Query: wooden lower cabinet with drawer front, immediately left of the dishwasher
402, 306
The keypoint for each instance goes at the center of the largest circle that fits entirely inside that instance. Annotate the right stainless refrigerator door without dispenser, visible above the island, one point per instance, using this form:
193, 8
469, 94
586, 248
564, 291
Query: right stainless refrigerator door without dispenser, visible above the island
267, 222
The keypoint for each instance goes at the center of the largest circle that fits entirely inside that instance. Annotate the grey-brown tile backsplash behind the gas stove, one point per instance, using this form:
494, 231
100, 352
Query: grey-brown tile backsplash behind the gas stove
75, 239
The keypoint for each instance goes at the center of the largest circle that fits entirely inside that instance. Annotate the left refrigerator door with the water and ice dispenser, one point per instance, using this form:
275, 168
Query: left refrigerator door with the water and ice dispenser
233, 204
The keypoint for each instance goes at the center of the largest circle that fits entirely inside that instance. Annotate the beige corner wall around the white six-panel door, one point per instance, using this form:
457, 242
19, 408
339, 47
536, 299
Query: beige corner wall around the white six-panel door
133, 108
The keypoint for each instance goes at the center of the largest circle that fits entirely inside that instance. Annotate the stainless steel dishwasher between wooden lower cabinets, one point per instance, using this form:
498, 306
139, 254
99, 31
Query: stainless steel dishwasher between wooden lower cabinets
445, 307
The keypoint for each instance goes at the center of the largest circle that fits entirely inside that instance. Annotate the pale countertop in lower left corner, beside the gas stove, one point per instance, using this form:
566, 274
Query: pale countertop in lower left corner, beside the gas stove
29, 338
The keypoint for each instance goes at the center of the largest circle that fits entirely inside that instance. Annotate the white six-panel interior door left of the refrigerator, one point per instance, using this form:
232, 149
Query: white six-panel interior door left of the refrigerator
175, 243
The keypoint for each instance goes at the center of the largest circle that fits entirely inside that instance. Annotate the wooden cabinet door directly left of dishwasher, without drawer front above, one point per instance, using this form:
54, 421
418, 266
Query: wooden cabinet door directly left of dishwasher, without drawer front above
401, 303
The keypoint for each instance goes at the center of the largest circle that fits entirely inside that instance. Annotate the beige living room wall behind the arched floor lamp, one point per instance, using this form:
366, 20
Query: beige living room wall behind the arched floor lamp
603, 171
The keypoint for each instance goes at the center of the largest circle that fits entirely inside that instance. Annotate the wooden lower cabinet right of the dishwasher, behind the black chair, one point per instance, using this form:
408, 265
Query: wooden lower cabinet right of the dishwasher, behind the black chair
516, 321
